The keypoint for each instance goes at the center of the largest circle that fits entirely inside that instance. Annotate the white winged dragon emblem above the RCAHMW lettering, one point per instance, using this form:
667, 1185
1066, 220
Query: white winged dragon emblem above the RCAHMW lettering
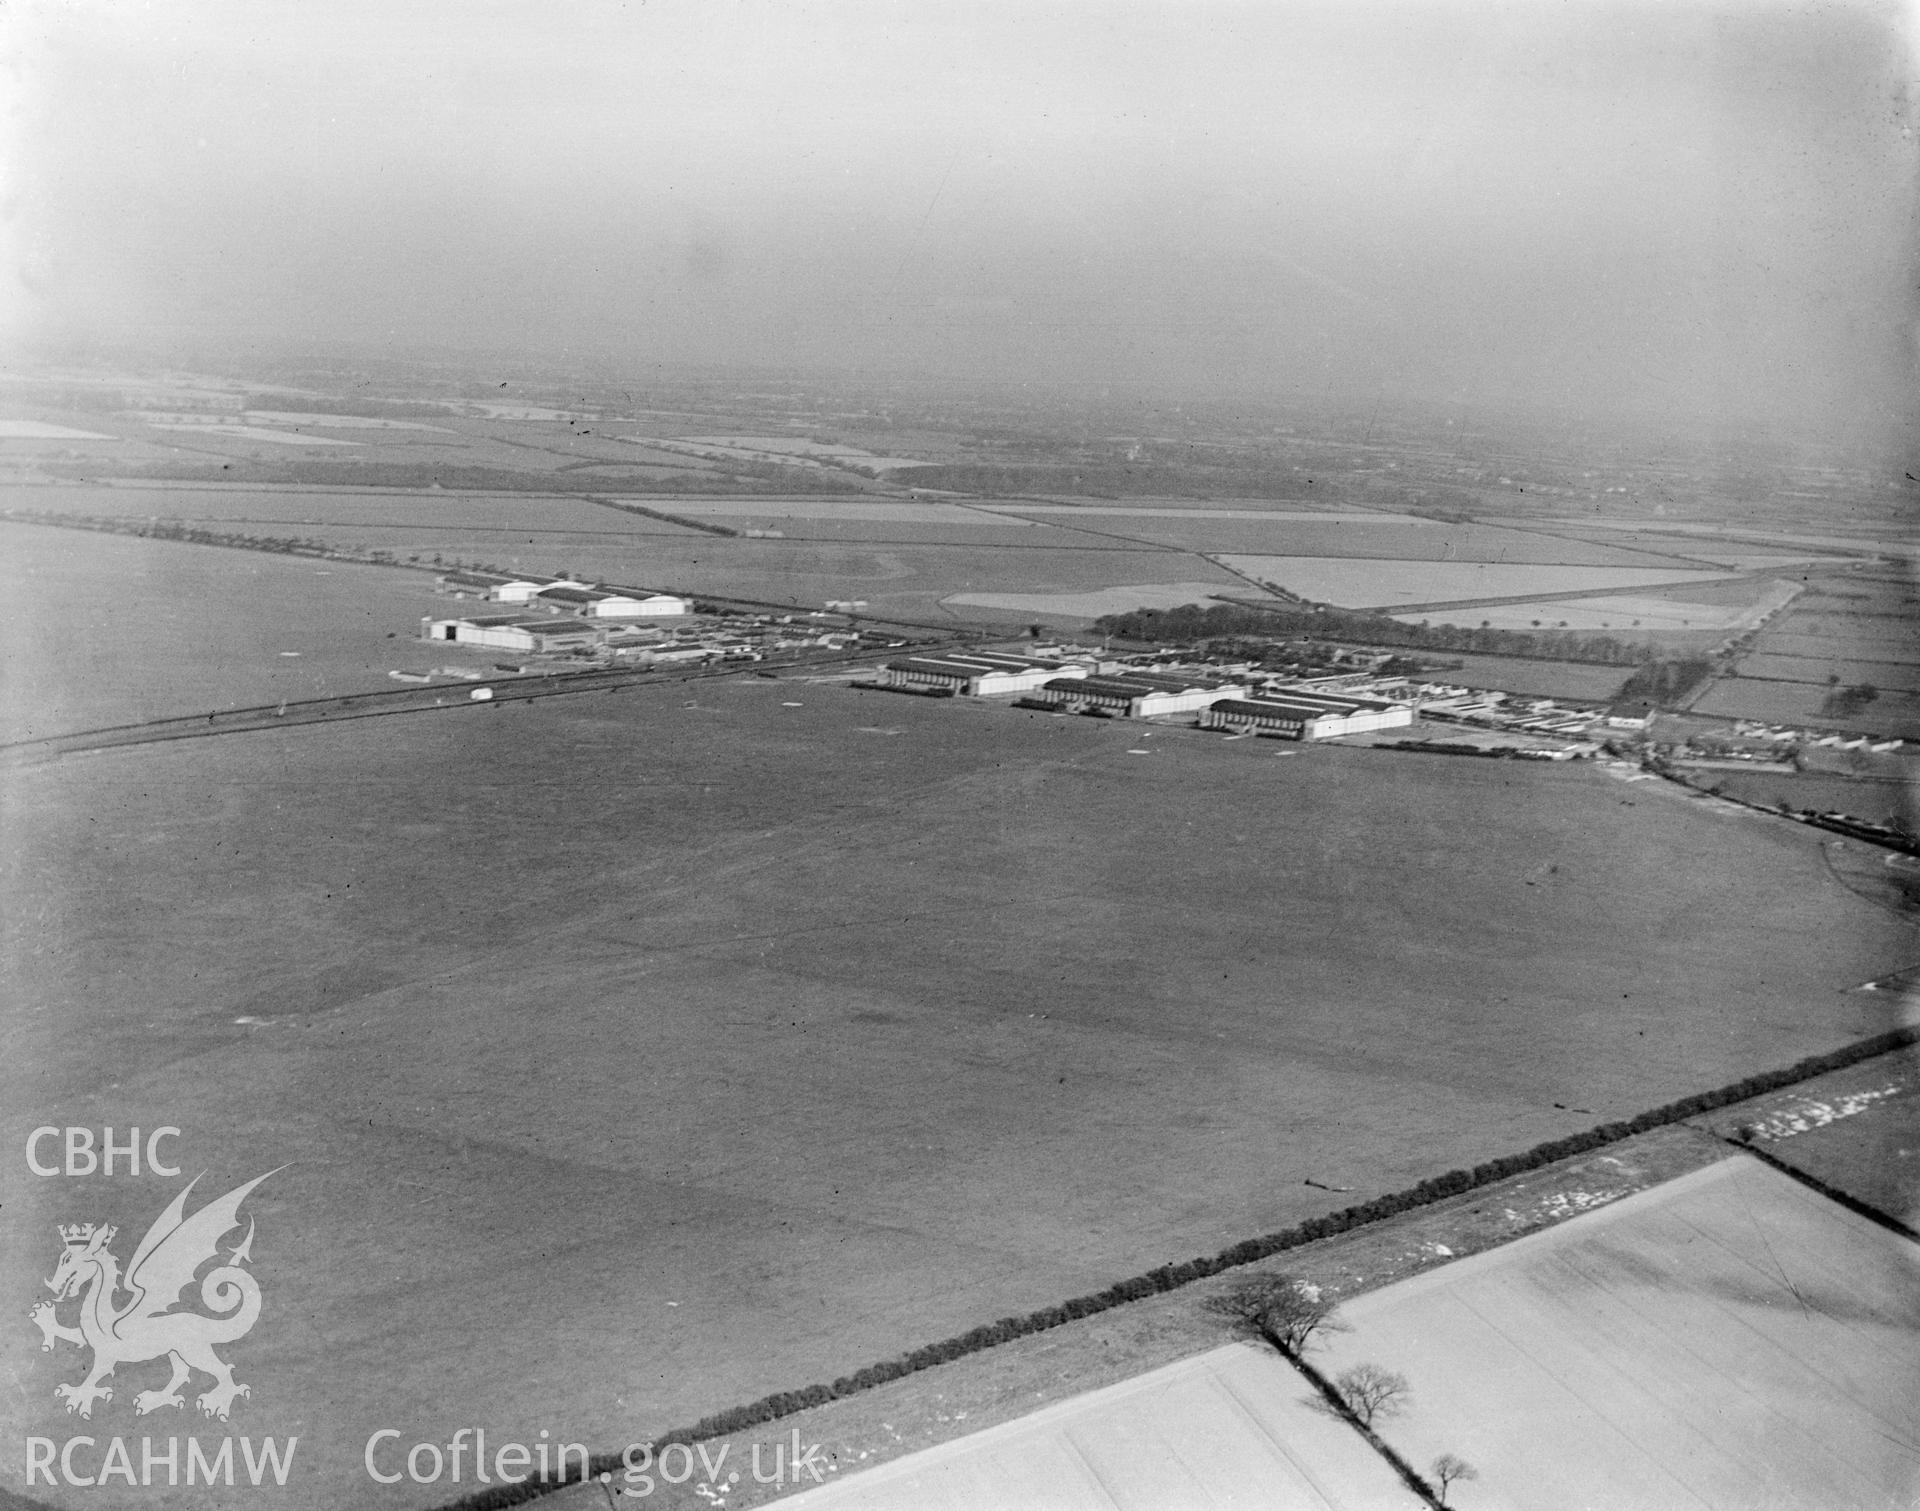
145, 1328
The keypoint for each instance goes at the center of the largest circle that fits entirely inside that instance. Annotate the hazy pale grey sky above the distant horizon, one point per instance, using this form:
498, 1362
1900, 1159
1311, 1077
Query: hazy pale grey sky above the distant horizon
1671, 206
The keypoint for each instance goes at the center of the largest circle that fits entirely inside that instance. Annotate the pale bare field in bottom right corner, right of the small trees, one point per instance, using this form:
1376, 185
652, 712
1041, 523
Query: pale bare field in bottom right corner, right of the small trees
1725, 1341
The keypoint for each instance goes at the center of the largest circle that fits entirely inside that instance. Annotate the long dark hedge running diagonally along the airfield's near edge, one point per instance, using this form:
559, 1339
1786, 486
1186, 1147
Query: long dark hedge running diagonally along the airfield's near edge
1245, 1253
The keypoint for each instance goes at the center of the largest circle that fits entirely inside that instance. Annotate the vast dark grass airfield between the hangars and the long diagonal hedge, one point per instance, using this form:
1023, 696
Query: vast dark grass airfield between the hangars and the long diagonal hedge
713, 1043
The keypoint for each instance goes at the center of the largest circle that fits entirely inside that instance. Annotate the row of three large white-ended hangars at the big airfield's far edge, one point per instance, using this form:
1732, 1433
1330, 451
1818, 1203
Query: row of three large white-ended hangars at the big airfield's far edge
1284, 711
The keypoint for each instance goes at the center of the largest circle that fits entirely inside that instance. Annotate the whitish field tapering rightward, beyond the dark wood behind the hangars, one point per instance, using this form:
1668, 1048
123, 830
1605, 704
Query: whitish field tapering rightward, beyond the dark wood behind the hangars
1383, 585
